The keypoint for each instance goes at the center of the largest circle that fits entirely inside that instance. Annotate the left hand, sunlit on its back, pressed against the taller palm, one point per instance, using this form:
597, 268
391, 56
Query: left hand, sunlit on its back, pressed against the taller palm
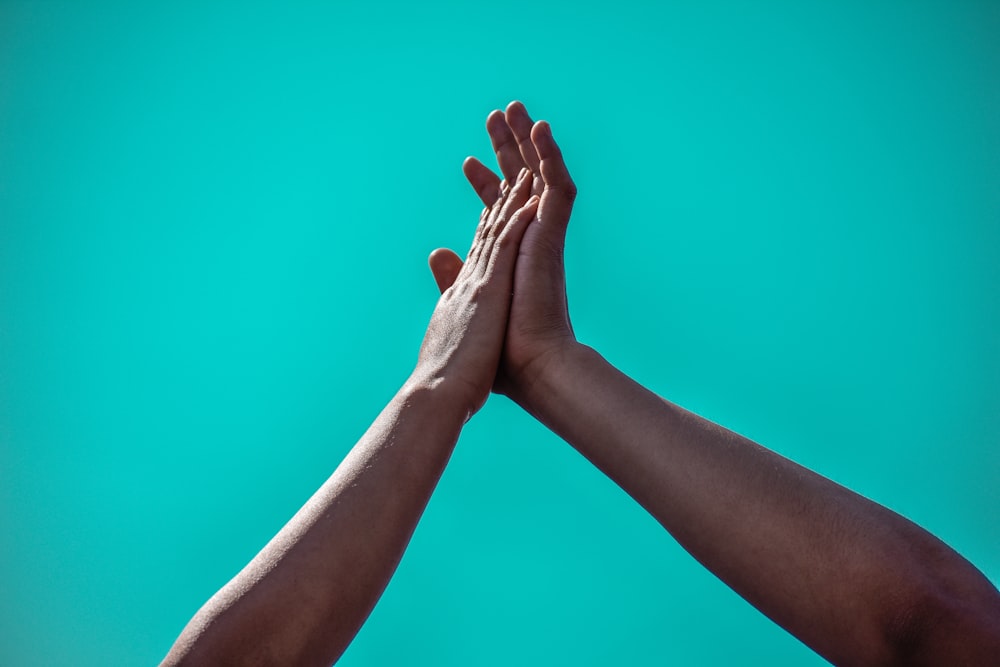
464, 339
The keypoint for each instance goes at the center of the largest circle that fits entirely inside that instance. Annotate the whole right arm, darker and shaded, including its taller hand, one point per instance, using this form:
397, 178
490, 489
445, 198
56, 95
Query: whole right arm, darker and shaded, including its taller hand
853, 580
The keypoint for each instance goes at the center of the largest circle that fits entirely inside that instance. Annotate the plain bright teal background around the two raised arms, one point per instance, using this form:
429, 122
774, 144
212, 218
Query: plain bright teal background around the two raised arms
214, 223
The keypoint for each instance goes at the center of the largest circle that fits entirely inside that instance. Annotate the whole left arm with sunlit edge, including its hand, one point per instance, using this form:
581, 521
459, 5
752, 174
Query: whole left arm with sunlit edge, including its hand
304, 596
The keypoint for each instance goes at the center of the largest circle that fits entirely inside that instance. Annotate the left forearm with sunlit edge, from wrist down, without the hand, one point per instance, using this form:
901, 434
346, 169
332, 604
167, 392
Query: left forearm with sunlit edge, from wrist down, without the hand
304, 596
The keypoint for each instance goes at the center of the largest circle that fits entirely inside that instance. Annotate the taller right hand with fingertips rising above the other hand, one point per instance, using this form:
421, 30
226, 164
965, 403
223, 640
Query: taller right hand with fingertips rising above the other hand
539, 322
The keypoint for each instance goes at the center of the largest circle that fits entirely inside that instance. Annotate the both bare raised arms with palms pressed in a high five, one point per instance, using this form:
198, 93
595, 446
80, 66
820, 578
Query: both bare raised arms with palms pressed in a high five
856, 582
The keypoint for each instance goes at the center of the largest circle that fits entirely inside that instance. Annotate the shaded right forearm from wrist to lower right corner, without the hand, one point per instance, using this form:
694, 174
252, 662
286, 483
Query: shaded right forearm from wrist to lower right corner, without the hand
850, 578
